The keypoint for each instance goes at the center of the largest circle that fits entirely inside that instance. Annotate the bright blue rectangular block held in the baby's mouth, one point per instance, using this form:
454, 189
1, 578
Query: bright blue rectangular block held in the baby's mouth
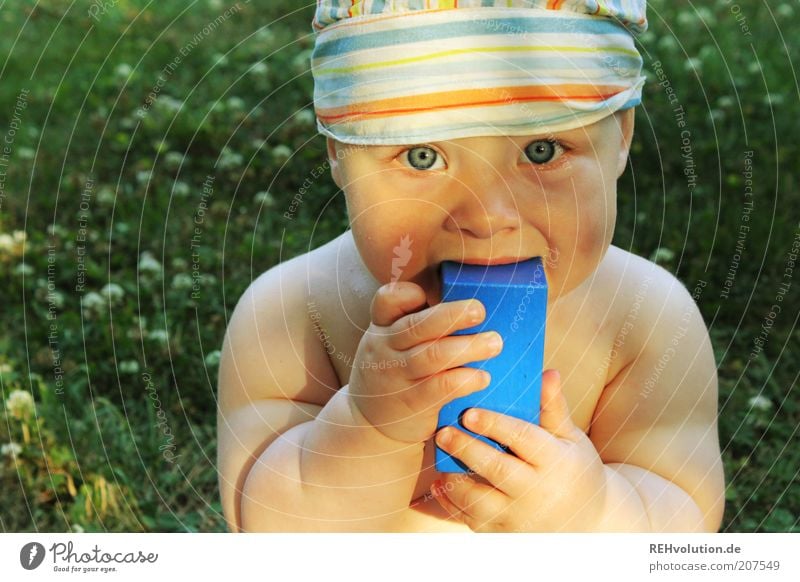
515, 298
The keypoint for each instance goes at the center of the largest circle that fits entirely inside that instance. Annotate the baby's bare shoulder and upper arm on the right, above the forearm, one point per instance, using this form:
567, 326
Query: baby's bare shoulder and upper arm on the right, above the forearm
658, 411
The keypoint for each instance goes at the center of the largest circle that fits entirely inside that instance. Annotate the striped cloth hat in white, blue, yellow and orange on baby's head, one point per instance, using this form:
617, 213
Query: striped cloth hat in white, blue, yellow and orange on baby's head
413, 71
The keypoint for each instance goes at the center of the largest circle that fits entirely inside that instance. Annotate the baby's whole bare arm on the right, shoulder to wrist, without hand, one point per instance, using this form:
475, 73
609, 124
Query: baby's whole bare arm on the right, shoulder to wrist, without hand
656, 424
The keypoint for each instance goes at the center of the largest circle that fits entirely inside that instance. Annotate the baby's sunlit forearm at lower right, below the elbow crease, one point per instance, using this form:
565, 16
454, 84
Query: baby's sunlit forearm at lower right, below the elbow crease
638, 500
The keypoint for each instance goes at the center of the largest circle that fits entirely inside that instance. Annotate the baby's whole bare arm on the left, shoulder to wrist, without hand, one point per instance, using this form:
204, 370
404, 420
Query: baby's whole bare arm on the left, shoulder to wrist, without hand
294, 455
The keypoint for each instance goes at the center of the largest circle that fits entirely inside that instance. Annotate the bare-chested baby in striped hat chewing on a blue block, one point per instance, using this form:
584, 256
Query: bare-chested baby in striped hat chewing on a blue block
484, 133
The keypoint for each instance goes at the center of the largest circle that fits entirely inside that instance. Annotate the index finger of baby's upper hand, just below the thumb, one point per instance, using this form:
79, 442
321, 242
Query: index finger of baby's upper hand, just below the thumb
435, 322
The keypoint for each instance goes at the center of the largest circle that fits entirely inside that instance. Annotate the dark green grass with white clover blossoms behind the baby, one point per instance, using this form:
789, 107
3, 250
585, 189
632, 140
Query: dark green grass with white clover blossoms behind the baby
154, 150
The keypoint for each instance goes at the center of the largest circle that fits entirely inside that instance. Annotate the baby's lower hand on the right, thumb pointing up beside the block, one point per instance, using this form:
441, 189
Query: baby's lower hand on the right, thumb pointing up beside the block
556, 481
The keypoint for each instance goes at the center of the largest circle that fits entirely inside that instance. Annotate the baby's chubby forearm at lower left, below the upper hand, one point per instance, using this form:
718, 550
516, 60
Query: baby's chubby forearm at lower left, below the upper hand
339, 474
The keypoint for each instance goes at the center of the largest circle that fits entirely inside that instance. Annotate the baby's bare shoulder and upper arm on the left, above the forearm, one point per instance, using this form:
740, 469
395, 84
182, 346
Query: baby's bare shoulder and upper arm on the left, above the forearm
274, 373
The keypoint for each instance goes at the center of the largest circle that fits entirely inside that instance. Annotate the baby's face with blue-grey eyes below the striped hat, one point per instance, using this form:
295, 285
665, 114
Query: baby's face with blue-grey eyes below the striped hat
486, 200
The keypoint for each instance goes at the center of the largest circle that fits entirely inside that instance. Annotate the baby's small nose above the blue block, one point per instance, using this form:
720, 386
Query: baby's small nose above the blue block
484, 214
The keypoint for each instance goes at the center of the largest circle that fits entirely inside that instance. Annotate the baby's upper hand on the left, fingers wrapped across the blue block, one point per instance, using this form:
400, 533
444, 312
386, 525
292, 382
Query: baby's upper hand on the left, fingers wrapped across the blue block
408, 366
